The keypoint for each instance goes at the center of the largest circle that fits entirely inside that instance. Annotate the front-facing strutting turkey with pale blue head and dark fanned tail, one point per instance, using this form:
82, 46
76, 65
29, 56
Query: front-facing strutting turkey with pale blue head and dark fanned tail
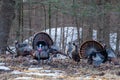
43, 46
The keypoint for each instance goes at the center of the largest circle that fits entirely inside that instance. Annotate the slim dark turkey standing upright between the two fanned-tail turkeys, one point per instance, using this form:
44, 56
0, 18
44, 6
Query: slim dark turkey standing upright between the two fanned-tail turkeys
75, 53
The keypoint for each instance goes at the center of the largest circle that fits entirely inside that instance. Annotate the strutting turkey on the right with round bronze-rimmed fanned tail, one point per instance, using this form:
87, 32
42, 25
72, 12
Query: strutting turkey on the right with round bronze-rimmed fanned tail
93, 51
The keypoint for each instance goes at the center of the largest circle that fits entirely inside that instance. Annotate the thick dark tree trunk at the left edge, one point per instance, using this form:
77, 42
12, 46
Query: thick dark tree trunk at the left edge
6, 17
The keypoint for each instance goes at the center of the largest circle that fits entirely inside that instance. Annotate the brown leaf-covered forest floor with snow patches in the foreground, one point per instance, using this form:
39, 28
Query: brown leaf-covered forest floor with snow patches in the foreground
26, 68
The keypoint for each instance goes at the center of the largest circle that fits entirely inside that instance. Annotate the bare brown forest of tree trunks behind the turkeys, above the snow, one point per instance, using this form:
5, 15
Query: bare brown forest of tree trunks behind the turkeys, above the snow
27, 17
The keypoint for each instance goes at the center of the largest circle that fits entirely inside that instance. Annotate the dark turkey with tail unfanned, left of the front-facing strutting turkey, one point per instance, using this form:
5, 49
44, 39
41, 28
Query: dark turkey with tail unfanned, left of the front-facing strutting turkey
22, 49
